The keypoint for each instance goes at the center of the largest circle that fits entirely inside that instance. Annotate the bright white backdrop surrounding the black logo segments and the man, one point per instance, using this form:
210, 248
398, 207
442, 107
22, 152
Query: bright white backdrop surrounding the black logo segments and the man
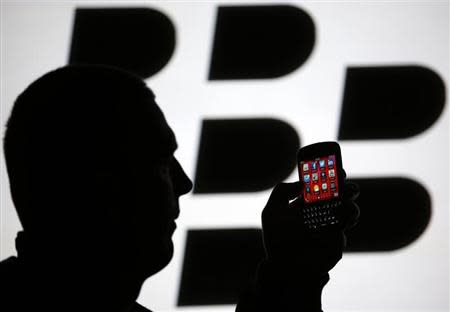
36, 38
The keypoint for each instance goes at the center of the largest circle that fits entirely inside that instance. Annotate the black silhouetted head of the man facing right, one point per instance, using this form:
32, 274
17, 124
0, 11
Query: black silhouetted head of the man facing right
90, 161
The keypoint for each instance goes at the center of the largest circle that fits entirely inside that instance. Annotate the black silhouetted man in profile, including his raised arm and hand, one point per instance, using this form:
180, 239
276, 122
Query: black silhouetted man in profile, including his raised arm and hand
96, 186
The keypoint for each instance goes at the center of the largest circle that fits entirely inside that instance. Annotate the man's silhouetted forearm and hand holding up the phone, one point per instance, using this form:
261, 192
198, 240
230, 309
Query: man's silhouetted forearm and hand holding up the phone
297, 260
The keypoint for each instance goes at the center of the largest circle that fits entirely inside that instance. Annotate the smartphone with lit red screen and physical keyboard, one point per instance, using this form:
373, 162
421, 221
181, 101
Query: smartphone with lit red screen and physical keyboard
322, 176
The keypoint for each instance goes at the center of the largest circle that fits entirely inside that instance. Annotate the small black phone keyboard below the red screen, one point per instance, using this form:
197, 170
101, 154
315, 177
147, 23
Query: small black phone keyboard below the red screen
320, 215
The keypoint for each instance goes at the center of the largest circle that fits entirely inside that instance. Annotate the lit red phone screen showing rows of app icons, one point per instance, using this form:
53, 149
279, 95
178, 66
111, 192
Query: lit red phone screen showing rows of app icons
320, 178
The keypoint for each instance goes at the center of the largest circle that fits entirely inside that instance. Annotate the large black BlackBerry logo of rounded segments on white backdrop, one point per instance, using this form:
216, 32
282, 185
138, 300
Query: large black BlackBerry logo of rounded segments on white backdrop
254, 43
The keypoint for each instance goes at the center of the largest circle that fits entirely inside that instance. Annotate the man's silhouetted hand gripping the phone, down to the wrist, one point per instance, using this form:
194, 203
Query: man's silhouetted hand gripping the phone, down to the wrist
294, 249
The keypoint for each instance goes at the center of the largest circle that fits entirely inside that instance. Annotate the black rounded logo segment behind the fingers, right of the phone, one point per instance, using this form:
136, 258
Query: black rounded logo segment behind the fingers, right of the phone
400, 206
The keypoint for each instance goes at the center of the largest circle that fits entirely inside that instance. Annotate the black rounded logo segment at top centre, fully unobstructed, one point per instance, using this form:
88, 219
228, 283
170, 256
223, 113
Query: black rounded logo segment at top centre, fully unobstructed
260, 41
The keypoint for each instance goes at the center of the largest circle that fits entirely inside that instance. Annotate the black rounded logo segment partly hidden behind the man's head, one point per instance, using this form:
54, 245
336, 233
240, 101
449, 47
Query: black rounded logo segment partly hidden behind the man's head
139, 40
